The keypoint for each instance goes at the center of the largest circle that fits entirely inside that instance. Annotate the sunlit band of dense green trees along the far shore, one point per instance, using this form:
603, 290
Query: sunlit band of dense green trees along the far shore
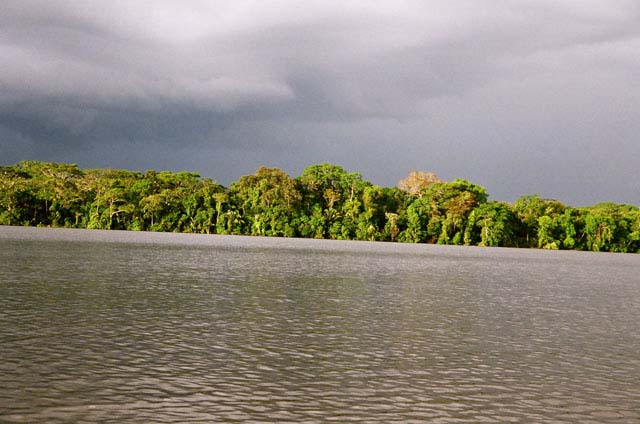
324, 202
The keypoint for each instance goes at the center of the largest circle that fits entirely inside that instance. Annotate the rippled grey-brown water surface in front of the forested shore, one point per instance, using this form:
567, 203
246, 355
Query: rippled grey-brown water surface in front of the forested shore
135, 327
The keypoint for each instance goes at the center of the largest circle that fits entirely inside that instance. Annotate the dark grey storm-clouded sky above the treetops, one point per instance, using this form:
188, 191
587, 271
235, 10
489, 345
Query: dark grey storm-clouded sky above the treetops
519, 96
